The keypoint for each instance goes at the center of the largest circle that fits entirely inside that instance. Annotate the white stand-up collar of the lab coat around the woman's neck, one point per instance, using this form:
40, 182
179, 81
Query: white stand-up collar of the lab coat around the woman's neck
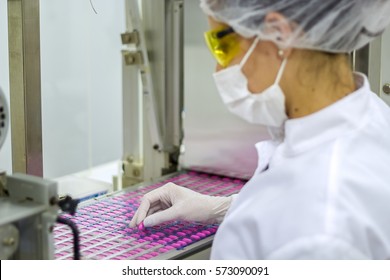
349, 113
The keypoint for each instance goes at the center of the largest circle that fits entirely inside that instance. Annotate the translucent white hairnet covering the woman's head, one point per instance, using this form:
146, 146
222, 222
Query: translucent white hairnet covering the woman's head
327, 25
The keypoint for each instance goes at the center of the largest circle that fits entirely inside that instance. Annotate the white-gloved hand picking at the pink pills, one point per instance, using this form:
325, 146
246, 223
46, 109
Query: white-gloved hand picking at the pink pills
172, 202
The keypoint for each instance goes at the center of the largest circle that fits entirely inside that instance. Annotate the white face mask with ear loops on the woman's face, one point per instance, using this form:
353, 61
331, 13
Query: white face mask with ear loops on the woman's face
266, 108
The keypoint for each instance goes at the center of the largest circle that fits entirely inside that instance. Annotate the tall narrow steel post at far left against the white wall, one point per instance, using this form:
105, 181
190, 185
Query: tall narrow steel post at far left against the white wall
25, 86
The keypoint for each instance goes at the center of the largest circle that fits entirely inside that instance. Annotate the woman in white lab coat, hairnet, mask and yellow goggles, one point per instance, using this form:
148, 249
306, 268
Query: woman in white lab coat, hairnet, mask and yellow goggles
321, 189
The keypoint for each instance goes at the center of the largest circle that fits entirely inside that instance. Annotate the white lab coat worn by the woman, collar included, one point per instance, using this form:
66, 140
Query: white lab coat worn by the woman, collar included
326, 192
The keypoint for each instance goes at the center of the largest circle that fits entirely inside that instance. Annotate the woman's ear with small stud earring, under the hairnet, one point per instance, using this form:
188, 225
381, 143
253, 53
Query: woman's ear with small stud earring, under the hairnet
276, 23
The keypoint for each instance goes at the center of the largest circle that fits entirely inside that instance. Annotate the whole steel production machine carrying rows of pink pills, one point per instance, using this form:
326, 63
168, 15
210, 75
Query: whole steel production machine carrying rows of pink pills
175, 129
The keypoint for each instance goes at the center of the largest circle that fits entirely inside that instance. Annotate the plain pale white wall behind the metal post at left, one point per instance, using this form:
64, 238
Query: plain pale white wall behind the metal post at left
81, 83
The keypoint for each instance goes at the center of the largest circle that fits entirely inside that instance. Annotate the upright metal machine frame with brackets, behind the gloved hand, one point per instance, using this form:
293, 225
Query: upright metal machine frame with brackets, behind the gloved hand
152, 89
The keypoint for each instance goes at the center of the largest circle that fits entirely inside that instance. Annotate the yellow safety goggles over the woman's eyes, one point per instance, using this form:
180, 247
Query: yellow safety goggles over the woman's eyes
223, 44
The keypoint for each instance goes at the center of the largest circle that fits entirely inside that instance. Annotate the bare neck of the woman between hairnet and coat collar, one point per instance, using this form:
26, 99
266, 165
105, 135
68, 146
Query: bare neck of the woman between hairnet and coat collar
315, 80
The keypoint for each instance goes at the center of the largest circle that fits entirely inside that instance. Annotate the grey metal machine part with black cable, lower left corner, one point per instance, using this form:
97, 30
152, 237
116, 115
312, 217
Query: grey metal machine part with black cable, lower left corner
30, 209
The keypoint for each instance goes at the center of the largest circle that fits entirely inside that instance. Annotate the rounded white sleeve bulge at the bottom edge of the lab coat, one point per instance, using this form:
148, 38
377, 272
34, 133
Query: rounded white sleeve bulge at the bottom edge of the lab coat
317, 248
